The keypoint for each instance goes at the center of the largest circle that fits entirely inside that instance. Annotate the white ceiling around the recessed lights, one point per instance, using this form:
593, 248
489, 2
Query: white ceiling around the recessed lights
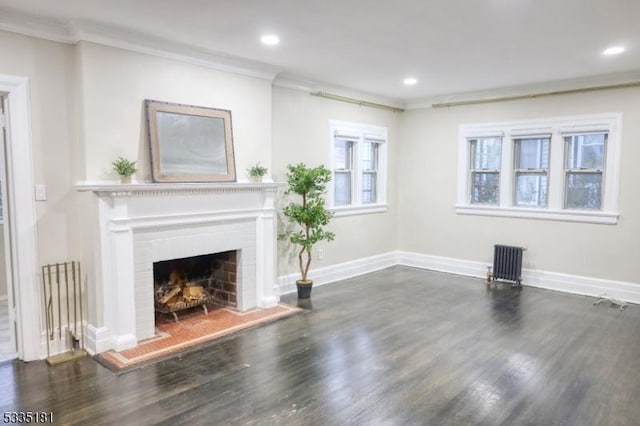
450, 46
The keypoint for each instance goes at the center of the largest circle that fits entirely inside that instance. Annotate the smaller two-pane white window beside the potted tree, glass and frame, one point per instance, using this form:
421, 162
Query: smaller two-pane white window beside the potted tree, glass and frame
358, 161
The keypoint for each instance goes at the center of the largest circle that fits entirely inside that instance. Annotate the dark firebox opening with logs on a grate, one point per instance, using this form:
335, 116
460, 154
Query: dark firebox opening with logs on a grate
185, 283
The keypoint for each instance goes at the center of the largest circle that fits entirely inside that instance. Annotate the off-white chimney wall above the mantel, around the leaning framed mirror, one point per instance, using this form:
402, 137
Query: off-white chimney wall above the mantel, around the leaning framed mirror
116, 82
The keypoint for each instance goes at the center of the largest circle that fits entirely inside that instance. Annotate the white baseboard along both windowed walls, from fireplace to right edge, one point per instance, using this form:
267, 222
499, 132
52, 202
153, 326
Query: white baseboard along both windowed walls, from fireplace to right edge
574, 284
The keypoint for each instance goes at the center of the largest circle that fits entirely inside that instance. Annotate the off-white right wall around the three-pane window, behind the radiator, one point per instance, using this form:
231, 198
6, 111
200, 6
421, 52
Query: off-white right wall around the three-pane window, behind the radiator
429, 224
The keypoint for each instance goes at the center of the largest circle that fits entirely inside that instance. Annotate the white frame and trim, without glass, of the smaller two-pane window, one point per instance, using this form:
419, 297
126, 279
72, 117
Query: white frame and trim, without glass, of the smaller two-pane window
361, 132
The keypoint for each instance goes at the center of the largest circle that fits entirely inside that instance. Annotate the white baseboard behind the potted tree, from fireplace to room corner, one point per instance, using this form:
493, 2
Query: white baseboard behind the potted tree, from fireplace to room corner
341, 271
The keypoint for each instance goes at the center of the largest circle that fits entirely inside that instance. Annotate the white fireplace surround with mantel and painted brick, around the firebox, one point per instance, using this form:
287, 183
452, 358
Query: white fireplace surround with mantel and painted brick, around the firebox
139, 224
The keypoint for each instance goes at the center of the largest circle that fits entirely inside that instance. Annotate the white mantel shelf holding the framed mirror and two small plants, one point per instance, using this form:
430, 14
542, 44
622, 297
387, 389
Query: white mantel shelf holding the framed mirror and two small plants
151, 188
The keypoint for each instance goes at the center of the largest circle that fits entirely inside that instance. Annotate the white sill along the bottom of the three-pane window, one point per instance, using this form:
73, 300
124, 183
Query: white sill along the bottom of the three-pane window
599, 217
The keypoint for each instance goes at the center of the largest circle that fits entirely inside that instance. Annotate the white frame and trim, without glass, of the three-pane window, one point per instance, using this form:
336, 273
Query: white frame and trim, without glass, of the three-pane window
557, 127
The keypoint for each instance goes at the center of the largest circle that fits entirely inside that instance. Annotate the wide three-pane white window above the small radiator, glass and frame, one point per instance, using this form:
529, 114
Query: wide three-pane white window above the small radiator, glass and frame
558, 168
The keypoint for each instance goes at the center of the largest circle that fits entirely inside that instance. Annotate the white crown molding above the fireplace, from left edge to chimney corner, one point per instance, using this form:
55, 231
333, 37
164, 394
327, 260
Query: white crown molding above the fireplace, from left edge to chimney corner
74, 31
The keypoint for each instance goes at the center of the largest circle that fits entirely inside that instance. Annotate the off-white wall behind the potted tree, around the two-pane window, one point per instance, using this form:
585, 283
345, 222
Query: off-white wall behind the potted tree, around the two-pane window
301, 134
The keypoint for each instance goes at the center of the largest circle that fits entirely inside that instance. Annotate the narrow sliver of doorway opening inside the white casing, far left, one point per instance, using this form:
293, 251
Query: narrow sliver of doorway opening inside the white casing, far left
8, 348
